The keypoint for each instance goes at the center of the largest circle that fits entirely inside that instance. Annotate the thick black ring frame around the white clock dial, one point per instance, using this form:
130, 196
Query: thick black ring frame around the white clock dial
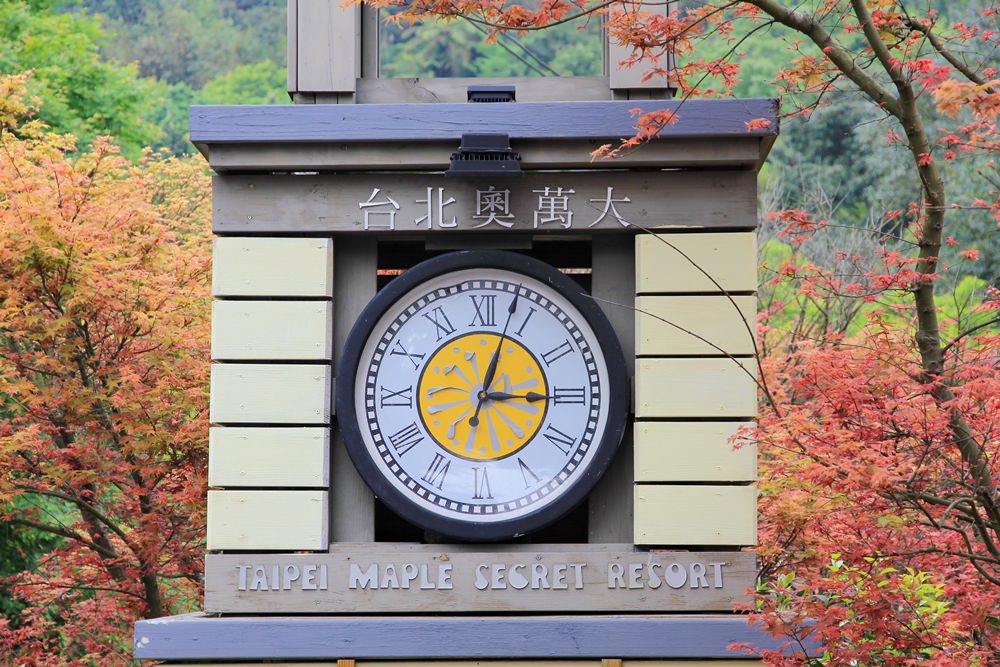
578, 490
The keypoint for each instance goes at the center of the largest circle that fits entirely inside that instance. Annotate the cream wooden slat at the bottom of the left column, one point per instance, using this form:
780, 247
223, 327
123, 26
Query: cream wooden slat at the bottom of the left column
278, 520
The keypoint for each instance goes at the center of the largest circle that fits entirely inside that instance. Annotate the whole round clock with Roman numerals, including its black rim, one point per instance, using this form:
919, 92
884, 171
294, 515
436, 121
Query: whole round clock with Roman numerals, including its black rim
481, 394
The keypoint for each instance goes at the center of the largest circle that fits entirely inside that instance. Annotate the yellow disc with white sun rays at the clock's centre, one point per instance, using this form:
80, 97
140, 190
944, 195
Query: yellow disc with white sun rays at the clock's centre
450, 391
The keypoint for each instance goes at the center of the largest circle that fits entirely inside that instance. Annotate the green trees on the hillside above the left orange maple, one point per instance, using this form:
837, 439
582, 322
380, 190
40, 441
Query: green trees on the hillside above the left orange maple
77, 72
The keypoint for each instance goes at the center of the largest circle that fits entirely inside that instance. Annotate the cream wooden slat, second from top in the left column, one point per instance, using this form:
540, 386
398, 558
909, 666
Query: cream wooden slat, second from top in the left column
272, 330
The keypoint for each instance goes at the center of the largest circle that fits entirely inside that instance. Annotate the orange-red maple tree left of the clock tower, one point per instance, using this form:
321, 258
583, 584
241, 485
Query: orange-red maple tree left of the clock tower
104, 306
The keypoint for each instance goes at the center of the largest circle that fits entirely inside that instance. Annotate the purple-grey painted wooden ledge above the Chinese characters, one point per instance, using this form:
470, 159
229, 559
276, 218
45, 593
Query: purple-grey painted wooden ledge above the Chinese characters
522, 120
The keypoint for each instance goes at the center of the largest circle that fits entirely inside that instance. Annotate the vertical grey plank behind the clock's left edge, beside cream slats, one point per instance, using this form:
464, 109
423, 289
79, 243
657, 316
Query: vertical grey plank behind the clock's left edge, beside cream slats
352, 516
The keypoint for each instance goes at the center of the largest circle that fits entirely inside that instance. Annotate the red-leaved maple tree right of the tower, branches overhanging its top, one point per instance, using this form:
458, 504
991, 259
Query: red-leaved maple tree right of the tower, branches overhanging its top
880, 514
